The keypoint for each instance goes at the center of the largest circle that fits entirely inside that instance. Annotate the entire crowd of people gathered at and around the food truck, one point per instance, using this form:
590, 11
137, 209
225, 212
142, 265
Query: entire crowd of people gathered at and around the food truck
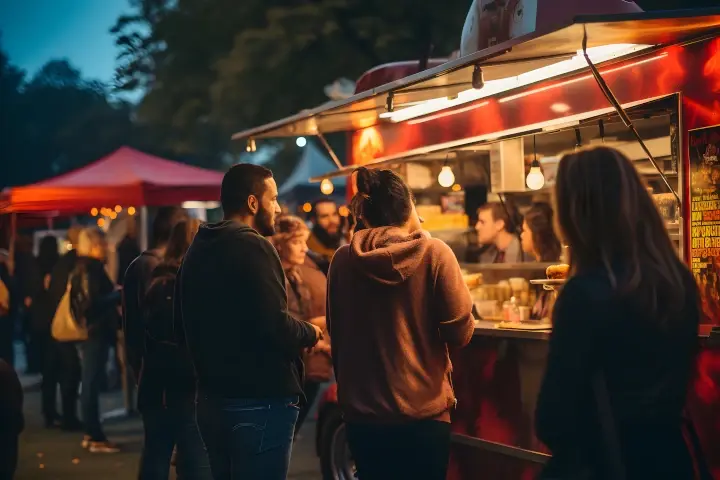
231, 327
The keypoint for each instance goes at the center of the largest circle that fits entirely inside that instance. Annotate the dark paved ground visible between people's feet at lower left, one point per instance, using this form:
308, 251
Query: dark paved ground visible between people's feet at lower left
57, 455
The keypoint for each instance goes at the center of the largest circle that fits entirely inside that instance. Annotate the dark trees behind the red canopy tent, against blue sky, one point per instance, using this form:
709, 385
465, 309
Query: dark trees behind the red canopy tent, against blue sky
54, 122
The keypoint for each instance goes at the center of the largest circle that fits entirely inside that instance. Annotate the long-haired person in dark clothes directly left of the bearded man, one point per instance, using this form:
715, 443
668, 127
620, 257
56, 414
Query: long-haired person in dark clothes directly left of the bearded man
167, 381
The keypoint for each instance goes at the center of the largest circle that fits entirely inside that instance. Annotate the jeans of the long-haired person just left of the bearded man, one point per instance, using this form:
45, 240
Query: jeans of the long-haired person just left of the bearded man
166, 427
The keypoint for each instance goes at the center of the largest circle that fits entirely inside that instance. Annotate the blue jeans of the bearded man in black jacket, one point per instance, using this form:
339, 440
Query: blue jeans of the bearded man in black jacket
248, 439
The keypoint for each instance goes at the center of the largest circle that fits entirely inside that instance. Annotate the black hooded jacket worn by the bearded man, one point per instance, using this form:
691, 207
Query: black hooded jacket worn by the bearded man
231, 297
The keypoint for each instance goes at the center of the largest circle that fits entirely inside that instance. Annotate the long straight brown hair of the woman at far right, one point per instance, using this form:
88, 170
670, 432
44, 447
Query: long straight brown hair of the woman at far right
610, 222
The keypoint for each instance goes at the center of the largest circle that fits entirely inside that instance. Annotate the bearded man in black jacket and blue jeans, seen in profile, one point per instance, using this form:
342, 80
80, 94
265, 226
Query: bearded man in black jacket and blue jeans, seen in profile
244, 344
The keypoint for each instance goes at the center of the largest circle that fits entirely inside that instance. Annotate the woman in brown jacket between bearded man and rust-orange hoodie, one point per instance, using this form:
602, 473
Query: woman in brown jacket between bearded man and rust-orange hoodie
306, 289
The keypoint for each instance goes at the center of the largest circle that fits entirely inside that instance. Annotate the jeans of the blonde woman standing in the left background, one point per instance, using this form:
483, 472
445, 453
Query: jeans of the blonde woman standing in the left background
94, 355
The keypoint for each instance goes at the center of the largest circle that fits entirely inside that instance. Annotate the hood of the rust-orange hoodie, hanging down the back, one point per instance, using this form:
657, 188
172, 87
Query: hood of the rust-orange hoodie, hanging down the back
388, 254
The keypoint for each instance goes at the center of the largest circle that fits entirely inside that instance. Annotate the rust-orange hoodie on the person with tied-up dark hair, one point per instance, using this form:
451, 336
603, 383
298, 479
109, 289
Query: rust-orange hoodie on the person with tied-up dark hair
391, 356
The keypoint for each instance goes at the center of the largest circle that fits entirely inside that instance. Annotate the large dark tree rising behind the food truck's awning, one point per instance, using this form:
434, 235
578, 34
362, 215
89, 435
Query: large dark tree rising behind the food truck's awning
254, 61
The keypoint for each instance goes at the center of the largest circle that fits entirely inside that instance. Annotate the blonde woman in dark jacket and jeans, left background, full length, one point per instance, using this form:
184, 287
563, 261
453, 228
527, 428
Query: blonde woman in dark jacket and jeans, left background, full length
94, 299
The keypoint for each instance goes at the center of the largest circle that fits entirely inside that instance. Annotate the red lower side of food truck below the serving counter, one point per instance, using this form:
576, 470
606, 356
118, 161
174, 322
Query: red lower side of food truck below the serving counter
497, 379
